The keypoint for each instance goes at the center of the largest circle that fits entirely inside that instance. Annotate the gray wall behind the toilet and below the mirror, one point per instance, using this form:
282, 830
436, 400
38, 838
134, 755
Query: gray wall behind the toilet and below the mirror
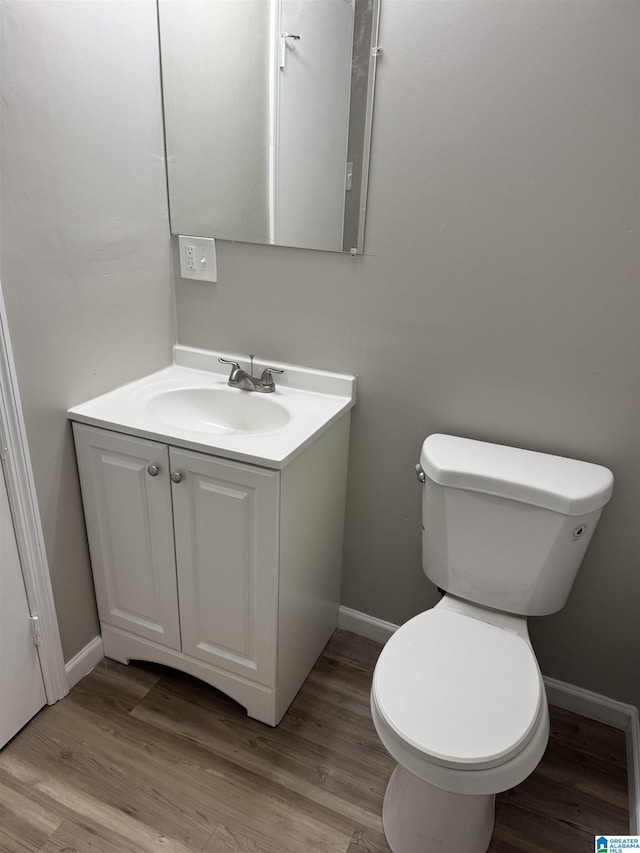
498, 298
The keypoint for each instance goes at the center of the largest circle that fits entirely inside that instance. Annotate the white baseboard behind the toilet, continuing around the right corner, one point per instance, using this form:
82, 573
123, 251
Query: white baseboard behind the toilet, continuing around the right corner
559, 693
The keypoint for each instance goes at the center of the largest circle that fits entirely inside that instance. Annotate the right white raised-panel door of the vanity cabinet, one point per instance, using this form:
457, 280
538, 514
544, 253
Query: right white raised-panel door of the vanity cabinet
226, 528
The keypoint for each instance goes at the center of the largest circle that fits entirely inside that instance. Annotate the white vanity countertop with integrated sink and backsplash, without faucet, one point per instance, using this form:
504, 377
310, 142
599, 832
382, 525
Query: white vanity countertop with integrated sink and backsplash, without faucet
190, 405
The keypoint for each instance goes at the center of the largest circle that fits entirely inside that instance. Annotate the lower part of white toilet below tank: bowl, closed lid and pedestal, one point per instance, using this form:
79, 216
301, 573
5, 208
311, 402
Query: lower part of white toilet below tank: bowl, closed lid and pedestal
458, 700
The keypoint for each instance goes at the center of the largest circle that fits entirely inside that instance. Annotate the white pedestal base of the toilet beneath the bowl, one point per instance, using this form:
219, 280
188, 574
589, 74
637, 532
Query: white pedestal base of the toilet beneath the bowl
418, 818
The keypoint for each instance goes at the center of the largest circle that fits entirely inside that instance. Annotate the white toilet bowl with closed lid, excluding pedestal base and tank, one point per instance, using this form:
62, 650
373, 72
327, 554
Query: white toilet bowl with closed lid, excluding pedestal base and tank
460, 701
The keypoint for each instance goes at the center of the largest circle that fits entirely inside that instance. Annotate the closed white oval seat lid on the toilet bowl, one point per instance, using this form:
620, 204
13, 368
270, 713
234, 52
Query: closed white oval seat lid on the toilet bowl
461, 691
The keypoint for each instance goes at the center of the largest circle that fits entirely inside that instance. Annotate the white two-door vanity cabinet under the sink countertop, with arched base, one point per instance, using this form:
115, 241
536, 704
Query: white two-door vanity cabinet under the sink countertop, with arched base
223, 569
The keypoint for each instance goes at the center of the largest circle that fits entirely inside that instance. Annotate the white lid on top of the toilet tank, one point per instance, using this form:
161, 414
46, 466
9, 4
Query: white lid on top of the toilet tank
563, 485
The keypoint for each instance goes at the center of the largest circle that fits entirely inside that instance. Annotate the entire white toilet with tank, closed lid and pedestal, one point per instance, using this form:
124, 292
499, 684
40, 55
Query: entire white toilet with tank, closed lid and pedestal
457, 697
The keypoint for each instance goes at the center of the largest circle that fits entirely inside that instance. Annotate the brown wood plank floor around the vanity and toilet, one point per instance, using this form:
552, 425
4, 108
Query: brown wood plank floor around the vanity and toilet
142, 759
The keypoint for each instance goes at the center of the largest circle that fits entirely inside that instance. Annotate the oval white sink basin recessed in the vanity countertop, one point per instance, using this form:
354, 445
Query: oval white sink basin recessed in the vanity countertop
217, 410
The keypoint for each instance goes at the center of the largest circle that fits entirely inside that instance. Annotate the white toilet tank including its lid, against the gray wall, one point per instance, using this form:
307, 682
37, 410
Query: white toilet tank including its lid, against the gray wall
504, 527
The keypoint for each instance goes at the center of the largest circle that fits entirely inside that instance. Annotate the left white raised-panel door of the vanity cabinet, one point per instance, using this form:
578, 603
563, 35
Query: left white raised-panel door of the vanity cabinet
127, 505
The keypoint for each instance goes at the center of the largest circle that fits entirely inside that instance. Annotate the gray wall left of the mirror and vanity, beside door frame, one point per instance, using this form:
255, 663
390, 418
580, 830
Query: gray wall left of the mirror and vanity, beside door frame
85, 245
